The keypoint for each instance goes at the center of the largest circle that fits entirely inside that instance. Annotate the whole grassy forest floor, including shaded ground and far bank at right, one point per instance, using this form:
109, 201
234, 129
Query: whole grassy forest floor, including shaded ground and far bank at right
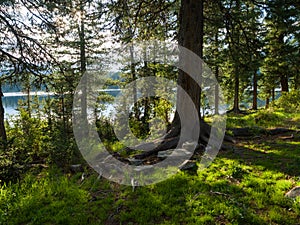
245, 184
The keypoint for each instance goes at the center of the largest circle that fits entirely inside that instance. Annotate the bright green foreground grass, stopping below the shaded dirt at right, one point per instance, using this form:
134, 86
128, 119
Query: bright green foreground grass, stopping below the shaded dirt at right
230, 191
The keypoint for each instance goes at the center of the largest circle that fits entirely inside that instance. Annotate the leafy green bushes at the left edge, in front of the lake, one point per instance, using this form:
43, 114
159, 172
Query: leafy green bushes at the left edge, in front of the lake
32, 144
